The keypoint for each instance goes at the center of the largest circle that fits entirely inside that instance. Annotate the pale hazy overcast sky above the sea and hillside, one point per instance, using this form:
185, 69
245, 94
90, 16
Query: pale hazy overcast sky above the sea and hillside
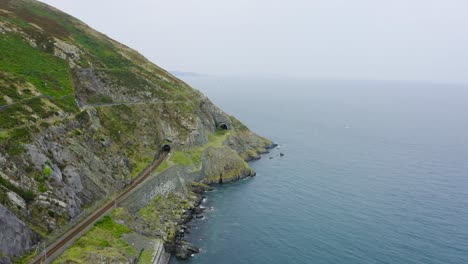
331, 39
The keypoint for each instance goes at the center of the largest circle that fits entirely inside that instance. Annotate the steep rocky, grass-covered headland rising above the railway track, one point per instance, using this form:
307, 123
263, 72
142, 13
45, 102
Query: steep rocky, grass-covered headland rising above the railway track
81, 115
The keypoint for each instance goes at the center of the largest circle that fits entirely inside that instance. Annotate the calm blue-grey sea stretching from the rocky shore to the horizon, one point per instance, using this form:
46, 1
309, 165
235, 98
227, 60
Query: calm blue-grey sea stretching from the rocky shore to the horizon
373, 172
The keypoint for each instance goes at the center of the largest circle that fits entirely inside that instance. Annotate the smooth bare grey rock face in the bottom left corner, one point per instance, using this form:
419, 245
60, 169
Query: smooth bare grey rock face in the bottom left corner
15, 236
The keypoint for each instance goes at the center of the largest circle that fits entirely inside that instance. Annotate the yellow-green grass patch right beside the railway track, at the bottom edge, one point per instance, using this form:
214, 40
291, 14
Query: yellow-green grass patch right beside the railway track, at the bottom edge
105, 238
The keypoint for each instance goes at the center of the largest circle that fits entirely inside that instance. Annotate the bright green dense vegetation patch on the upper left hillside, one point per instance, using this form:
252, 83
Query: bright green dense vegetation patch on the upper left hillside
51, 75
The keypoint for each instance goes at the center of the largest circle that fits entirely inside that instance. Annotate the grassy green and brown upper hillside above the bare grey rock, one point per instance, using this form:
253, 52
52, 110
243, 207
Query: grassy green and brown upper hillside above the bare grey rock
51, 77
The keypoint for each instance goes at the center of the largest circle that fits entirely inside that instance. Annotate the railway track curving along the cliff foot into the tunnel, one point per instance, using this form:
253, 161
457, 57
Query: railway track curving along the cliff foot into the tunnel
76, 231
